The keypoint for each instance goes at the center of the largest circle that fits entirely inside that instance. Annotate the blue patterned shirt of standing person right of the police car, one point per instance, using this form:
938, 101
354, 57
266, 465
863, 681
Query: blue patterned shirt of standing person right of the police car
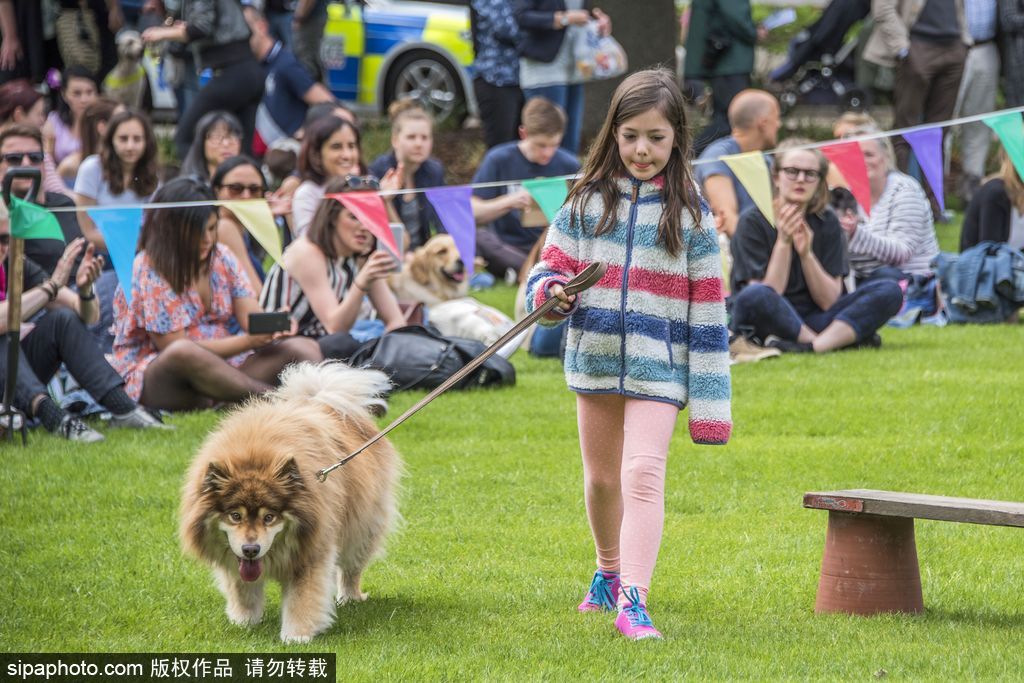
495, 37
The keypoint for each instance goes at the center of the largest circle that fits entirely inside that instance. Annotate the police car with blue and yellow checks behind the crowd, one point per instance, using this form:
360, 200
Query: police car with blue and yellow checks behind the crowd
376, 52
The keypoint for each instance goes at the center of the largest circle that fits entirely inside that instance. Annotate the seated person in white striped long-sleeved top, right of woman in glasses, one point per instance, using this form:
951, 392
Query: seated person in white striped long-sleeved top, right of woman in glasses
898, 240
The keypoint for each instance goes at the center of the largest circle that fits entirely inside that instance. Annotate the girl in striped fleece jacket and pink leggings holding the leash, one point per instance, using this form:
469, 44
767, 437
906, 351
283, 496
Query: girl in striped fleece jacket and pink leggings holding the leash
647, 340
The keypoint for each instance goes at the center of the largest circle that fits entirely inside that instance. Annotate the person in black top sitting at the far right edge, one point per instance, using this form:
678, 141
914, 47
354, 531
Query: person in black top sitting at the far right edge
997, 211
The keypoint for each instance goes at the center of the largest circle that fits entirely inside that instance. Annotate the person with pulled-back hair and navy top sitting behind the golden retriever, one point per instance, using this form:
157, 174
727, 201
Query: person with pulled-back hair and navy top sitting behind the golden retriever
412, 143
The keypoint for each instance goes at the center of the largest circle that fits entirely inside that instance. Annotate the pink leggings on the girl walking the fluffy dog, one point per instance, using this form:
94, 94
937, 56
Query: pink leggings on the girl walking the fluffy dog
625, 445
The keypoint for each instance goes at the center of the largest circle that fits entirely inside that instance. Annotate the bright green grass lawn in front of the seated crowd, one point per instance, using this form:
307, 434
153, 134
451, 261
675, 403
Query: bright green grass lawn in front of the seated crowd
483, 579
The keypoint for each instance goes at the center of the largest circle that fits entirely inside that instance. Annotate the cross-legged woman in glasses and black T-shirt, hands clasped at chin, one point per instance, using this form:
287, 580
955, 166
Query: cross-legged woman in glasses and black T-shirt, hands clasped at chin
788, 279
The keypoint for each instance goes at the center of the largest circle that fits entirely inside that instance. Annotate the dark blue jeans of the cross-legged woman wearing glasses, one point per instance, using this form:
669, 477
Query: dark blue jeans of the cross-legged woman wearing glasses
762, 311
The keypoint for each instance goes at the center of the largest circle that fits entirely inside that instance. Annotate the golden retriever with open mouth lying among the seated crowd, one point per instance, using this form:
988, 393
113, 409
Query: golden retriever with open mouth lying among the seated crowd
434, 273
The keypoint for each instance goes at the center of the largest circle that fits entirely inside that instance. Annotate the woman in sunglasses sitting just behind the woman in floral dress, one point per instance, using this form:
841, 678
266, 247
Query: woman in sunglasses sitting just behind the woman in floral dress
240, 179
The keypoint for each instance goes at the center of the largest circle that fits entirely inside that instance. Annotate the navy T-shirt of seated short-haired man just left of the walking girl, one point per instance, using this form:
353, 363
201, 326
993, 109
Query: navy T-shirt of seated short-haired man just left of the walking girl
506, 162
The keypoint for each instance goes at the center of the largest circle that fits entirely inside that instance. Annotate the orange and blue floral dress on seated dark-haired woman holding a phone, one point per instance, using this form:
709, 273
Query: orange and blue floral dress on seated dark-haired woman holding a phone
157, 309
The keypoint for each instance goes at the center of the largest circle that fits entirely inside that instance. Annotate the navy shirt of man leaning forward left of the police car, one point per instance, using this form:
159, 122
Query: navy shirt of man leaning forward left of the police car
283, 110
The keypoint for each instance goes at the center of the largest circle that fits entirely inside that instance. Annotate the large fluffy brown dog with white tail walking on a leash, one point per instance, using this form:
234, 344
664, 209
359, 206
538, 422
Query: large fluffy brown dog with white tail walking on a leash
253, 509
